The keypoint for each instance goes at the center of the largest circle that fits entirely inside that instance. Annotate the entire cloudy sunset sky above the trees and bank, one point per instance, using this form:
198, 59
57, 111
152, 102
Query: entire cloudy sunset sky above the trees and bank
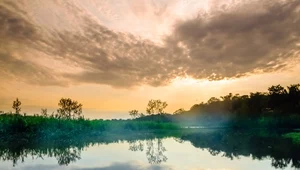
114, 56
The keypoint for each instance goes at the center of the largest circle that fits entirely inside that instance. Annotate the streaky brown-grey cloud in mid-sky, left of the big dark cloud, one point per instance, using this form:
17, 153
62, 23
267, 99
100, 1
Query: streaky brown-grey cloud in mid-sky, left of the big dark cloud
111, 58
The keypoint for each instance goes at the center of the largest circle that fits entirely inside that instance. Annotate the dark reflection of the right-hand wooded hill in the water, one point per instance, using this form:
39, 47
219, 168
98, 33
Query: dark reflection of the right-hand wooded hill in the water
255, 144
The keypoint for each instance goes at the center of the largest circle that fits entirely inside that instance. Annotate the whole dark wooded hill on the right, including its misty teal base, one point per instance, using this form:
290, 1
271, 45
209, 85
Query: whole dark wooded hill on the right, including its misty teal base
278, 107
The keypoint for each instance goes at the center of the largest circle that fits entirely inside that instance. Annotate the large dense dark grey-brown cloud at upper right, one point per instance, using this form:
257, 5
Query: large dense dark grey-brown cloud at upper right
234, 42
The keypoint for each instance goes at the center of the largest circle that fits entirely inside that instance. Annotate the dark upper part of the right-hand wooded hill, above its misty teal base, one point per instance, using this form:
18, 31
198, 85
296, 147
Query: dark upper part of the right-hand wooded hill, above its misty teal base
276, 101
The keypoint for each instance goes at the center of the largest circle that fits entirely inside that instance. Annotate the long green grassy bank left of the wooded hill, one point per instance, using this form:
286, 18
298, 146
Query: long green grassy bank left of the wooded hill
38, 127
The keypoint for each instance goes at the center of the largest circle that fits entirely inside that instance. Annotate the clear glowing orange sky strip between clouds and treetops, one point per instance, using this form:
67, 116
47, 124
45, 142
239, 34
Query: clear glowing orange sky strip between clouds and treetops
102, 101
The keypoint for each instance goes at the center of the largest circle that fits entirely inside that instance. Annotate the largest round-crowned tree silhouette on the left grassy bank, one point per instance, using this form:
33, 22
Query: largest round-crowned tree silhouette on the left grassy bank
69, 109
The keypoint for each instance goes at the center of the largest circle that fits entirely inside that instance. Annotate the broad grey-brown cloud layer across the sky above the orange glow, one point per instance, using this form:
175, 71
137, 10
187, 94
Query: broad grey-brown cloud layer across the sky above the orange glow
227, 40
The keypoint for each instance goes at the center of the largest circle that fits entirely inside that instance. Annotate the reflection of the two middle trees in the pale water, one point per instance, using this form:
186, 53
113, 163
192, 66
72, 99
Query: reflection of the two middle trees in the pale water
154, 149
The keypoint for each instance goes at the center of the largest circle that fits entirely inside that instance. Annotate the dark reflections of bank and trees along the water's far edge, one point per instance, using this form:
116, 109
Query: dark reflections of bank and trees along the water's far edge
258, 145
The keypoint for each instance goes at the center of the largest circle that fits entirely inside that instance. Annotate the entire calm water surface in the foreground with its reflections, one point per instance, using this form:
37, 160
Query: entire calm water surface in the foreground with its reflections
193, 151
